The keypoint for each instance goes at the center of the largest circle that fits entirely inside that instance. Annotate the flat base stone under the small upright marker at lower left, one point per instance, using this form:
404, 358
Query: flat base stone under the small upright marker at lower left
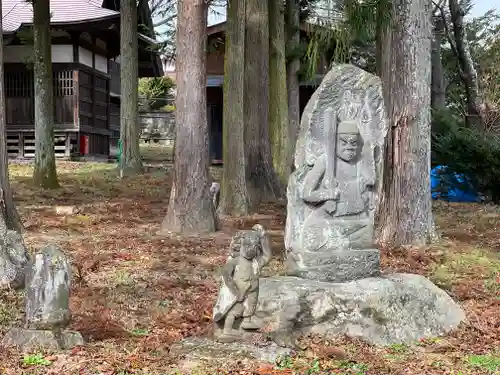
30, 339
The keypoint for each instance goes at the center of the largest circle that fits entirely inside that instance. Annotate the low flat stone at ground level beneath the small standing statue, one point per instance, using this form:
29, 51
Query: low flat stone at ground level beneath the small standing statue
199, 349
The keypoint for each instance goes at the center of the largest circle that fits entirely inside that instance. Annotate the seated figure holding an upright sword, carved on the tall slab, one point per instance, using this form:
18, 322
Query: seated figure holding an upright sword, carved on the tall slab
341, 191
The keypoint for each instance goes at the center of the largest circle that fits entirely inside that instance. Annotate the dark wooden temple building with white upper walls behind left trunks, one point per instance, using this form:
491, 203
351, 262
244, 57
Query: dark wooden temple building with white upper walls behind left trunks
86, 74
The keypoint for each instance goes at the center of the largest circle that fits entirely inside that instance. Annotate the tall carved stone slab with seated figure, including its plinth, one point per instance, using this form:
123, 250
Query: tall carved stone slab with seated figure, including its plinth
333, 192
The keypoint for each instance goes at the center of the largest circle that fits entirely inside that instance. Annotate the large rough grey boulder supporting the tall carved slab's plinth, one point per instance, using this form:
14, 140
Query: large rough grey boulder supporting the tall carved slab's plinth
396, 308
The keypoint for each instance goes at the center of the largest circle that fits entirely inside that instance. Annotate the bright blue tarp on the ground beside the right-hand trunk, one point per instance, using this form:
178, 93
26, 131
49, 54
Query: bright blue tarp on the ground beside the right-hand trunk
451, 187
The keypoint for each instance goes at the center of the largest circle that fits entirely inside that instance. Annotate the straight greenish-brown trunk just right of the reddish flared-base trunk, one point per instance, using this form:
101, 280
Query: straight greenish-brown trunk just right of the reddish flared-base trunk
234, 192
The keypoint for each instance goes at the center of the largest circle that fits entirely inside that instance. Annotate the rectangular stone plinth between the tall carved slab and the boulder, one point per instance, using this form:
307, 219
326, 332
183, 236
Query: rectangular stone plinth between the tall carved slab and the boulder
336, 266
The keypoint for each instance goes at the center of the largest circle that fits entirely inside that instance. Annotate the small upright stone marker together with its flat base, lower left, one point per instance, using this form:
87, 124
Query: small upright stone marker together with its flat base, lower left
48, 282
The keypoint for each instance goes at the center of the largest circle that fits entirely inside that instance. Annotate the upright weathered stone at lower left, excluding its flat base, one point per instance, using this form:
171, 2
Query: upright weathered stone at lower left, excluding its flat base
48, 283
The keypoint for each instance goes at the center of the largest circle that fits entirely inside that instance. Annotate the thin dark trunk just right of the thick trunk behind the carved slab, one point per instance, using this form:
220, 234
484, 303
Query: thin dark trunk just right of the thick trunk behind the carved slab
438, 92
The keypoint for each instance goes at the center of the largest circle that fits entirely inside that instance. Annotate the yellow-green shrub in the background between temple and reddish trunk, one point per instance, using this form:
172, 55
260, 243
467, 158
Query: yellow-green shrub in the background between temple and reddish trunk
155, 92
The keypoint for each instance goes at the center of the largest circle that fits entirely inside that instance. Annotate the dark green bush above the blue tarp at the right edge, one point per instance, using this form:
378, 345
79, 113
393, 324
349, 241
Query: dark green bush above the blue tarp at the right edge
468, 152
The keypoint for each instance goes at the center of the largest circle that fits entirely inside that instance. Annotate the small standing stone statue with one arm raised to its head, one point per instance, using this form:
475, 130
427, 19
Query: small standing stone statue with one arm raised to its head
250, 252
